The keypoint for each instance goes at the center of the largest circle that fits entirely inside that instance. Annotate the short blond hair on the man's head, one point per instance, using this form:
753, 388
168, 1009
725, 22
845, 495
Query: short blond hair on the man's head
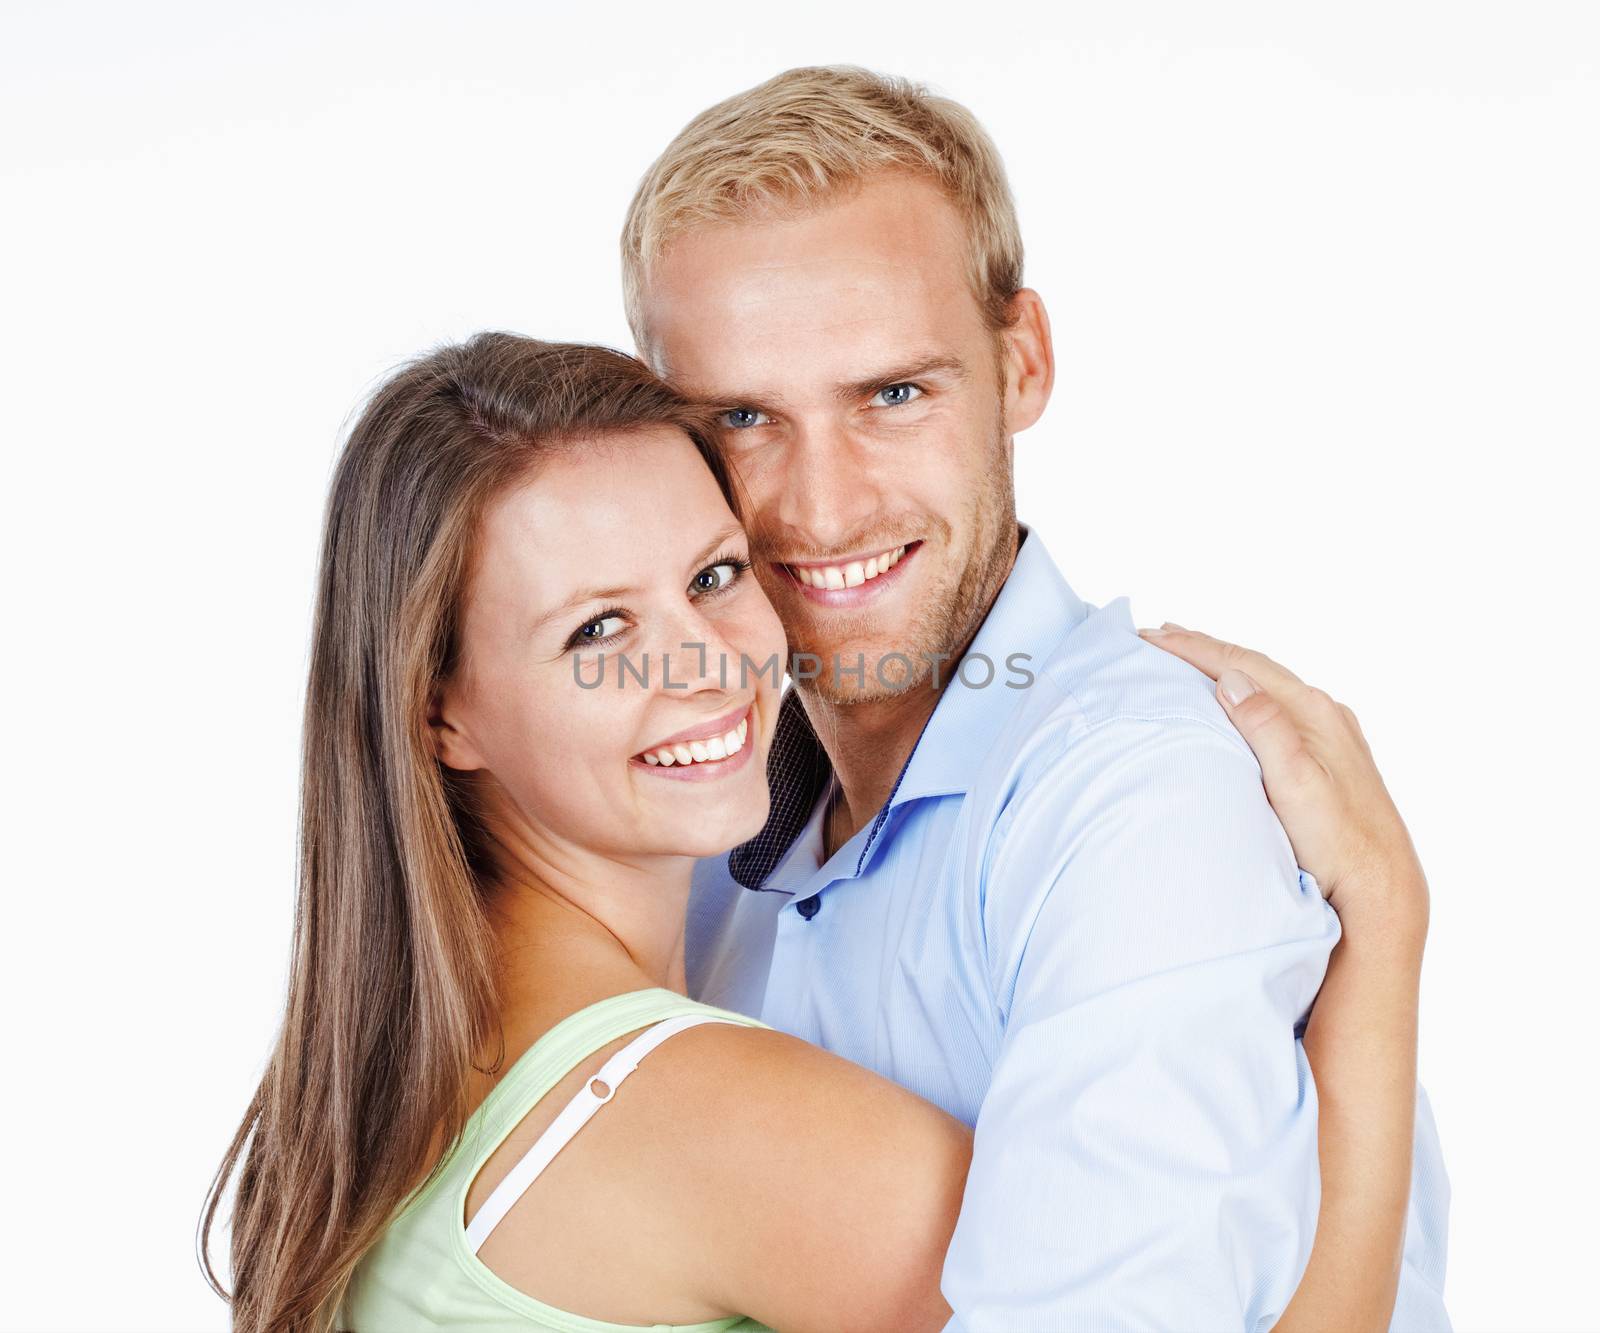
809, 134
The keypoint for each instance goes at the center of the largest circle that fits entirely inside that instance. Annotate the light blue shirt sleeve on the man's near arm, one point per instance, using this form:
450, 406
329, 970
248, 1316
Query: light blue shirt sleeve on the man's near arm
1146, 1156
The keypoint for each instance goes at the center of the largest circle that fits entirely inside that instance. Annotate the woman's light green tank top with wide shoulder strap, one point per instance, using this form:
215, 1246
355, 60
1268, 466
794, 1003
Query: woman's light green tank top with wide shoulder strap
423, 1275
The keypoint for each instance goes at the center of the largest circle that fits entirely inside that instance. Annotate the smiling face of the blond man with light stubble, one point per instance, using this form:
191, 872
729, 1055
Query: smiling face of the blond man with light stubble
868, 409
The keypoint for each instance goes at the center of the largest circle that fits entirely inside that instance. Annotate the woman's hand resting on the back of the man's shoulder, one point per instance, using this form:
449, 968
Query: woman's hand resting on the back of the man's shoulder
1319, 775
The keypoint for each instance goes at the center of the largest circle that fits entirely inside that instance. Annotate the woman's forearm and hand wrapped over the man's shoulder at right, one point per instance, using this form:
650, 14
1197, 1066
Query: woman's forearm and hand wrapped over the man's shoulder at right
1361, 1038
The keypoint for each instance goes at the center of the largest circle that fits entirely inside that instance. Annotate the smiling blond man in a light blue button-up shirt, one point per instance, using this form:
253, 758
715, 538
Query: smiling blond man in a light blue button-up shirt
1018, 860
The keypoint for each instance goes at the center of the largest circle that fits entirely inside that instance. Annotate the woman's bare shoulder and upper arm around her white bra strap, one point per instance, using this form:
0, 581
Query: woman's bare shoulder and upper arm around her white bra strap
732, 1169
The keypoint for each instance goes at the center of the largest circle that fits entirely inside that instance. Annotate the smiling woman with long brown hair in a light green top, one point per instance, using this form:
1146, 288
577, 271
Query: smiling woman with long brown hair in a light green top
495, 863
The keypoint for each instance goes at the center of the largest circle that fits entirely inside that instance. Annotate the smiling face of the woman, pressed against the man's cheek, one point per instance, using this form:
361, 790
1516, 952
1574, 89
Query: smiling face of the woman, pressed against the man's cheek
604, 634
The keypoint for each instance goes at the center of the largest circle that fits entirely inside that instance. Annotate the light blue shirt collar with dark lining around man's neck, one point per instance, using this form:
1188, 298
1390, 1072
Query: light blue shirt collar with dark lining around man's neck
1028, 620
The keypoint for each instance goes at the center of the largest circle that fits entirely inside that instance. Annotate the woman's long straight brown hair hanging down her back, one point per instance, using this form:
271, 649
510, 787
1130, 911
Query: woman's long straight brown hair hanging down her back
391, 983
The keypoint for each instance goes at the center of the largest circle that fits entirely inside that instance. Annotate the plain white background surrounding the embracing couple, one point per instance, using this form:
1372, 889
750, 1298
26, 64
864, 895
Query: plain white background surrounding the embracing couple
1326, 297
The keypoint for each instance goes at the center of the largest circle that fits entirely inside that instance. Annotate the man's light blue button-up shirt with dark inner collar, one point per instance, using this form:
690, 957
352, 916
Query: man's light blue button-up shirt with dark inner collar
1079, 927
